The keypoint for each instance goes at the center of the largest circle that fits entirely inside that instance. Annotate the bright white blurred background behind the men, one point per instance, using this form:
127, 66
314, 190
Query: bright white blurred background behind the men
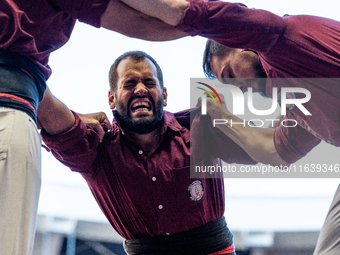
267, 216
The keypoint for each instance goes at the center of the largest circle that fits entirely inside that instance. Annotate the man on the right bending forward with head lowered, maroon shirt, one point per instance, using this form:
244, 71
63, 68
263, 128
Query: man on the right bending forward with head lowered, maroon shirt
260, 44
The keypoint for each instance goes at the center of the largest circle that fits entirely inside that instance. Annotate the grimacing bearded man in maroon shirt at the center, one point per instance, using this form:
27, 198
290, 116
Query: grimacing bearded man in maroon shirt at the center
140, 173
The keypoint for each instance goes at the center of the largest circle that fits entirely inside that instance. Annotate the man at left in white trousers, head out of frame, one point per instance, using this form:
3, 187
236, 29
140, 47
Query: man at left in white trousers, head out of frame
29, 32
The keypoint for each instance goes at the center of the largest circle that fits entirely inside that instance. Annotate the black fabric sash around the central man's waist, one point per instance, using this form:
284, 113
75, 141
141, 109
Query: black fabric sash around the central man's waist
209, 238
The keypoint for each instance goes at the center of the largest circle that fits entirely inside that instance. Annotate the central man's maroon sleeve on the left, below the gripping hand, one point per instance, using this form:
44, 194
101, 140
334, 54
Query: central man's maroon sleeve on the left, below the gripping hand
76, 147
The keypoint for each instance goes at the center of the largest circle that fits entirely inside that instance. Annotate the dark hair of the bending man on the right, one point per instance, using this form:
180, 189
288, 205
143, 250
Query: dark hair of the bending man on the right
213, 48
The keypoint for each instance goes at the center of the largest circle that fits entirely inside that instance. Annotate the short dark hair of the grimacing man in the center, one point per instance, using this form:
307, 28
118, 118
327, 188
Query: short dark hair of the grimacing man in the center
137, 56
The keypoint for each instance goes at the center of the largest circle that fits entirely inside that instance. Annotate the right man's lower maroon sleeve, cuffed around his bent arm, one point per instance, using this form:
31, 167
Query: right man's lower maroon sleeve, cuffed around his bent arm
293, 143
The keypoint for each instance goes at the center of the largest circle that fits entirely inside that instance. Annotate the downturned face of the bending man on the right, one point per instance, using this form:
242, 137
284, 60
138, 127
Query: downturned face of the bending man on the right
239, 64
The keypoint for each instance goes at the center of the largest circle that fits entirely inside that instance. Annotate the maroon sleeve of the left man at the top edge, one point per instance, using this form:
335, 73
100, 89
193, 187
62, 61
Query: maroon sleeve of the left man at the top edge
87, 11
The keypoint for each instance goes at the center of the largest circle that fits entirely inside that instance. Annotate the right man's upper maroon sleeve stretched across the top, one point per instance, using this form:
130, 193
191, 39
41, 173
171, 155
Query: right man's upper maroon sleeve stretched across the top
232, 24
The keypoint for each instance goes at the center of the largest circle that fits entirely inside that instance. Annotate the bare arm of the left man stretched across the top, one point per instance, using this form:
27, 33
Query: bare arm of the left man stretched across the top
126, 20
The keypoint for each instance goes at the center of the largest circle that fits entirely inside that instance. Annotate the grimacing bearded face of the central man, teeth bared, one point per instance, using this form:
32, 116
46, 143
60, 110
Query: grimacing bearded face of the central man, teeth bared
139, 99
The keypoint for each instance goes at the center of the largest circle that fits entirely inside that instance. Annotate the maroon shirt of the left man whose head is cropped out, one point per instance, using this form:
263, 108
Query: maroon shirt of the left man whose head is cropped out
36, 28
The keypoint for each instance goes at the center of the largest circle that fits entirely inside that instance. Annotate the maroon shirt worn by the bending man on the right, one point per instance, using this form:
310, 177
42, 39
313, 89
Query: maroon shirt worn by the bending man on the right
298, 46
